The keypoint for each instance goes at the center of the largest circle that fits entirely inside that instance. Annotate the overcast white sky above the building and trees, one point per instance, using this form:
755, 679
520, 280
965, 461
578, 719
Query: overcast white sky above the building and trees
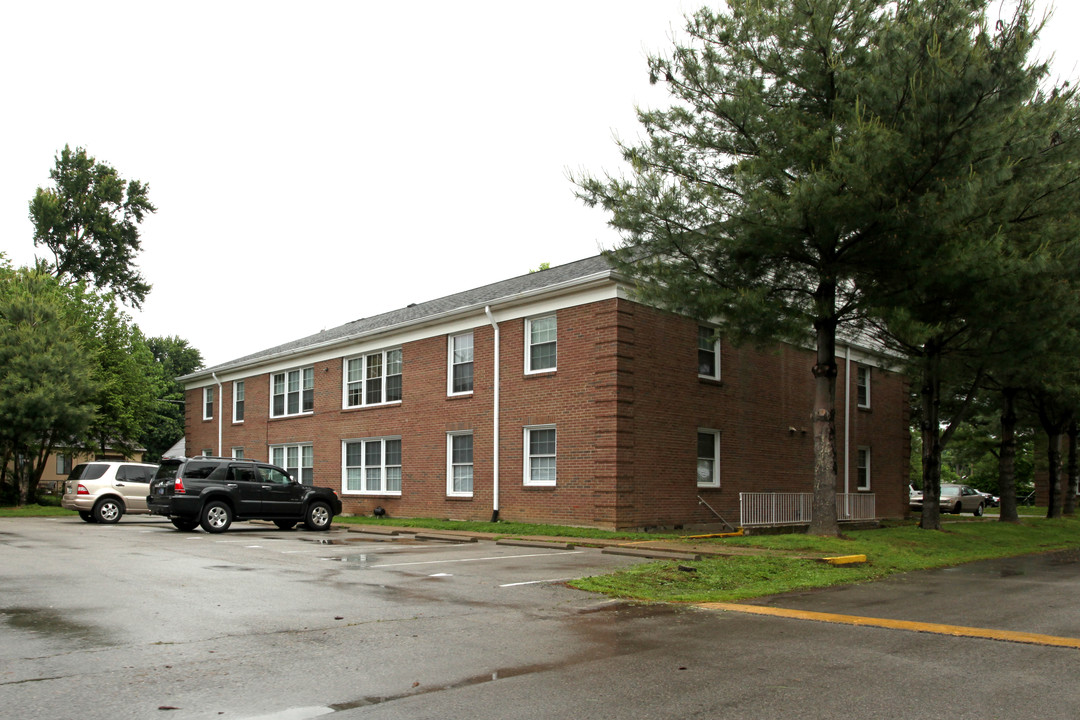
316, 164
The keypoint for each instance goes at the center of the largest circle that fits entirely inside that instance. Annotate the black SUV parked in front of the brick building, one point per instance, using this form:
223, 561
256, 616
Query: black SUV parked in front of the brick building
215, 492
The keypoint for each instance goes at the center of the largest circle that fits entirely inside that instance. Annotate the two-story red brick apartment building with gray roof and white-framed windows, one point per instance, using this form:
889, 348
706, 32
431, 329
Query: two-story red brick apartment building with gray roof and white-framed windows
551, 398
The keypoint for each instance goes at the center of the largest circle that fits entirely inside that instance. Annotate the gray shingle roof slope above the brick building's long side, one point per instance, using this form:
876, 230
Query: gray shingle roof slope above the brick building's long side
479, 297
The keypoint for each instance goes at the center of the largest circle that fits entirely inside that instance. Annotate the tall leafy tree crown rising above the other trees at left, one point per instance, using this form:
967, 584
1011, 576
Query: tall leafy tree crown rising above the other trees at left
90, 221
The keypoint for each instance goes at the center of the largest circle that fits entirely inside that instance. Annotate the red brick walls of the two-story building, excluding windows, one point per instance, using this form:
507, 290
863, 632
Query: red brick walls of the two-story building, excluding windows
627, 403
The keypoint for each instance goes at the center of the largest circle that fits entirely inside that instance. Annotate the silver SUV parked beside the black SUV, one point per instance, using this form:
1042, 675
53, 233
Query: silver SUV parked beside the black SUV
104, 492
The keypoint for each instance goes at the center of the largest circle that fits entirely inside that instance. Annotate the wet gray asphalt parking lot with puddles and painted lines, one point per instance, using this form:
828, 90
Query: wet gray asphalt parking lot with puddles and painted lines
138, 620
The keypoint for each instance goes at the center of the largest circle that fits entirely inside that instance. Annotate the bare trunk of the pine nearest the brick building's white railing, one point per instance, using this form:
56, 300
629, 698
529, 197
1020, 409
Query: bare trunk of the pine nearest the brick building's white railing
825, 522
